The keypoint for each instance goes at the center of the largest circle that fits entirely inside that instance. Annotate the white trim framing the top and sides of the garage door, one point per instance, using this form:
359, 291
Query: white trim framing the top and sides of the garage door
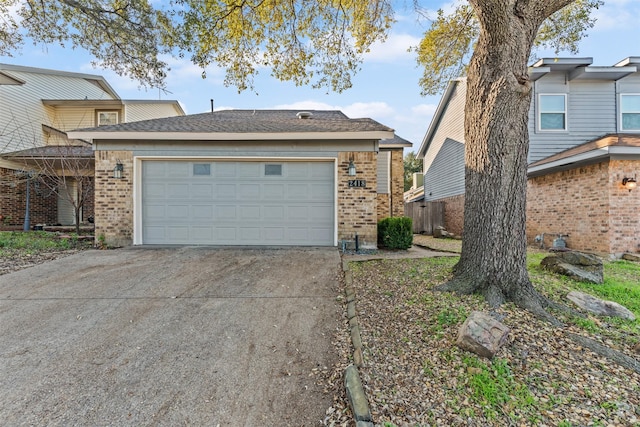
137, 187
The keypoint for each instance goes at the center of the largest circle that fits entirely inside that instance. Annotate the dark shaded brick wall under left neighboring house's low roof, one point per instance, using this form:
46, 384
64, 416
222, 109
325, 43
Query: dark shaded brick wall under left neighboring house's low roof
13, 195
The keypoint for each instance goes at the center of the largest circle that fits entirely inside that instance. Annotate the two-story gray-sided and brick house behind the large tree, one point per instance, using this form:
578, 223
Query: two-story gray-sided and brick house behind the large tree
584, 155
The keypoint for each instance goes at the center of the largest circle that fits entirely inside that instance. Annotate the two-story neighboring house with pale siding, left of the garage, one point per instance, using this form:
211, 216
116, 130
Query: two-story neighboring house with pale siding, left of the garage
37, 108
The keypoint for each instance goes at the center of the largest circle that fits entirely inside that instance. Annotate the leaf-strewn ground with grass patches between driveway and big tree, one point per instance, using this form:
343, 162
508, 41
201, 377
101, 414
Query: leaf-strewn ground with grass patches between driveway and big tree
414, 375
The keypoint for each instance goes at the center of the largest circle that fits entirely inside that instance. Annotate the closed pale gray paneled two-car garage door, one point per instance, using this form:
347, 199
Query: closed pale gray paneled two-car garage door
238, 203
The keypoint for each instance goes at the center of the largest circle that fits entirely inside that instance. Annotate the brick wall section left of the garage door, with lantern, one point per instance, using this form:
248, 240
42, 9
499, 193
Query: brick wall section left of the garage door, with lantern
114, 198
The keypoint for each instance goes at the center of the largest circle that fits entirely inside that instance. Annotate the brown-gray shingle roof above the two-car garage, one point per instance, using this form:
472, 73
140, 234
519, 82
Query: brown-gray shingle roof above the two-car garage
249, 121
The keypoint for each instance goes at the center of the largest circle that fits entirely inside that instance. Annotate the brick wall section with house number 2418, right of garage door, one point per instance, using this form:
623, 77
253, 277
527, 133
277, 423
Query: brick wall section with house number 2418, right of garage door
357, 207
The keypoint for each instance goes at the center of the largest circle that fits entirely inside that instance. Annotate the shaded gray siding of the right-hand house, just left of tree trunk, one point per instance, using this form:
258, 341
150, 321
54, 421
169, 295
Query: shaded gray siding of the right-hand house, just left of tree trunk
445, 177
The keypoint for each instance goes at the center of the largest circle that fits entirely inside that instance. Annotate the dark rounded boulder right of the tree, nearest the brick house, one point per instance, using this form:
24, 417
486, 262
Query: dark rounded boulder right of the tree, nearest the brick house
577, 265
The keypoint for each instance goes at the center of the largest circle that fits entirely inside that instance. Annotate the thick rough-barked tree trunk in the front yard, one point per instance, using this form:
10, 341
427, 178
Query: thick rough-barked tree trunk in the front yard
493, 259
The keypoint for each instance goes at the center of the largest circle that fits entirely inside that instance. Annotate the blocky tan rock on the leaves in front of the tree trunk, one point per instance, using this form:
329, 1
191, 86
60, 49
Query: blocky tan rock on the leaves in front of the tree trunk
482, 334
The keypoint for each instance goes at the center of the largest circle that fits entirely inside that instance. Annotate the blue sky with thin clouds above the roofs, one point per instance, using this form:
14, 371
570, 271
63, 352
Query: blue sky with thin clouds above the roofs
386, 89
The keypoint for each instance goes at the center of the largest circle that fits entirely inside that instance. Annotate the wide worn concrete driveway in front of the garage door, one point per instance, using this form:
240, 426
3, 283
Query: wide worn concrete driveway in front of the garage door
171, 336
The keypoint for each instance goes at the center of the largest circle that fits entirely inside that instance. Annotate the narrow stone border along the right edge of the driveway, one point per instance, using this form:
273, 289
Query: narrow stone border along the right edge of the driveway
353, 386
